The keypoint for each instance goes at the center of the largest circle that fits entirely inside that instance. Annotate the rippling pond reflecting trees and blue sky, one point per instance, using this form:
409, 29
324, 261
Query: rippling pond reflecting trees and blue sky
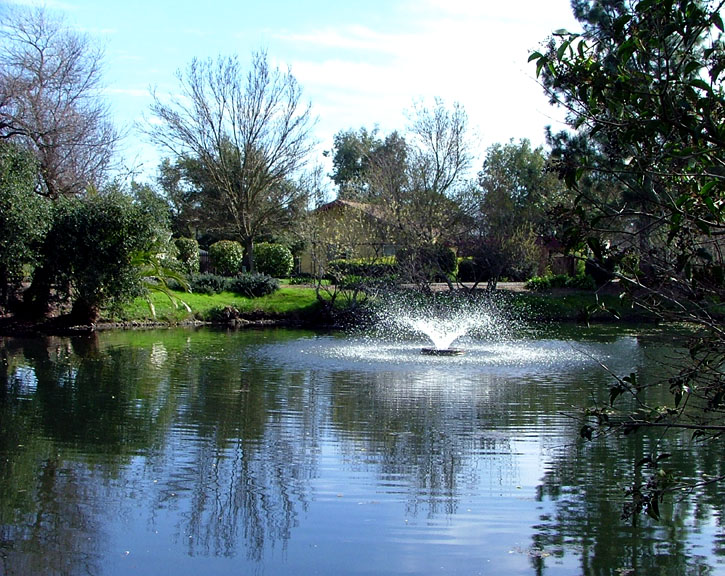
200, 451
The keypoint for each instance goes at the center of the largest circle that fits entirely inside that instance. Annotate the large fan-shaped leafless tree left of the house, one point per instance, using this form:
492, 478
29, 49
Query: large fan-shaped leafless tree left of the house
251, 134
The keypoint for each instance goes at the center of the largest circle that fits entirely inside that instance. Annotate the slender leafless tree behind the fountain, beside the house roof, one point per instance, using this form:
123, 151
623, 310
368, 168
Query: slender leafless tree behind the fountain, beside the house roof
421, 181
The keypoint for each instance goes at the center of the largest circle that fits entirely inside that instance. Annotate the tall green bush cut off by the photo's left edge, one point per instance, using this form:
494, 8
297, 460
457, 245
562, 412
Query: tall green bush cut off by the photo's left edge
24, 217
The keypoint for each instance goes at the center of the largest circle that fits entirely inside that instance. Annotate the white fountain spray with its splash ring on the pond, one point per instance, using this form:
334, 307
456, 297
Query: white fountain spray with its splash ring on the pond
445, 338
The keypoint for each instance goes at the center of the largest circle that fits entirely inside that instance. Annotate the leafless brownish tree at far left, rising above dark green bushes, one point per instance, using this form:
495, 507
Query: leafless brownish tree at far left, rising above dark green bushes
50, 78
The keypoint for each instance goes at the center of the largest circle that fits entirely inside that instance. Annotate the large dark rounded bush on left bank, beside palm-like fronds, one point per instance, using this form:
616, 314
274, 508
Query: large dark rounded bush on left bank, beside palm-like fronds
90, 248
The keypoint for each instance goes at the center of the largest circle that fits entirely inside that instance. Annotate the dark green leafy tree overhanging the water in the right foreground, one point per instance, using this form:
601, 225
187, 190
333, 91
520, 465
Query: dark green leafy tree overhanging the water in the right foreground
643, 85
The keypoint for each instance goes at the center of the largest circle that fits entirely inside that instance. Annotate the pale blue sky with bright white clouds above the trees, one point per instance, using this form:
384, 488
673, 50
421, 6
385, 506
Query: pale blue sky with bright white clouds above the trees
359, 63
